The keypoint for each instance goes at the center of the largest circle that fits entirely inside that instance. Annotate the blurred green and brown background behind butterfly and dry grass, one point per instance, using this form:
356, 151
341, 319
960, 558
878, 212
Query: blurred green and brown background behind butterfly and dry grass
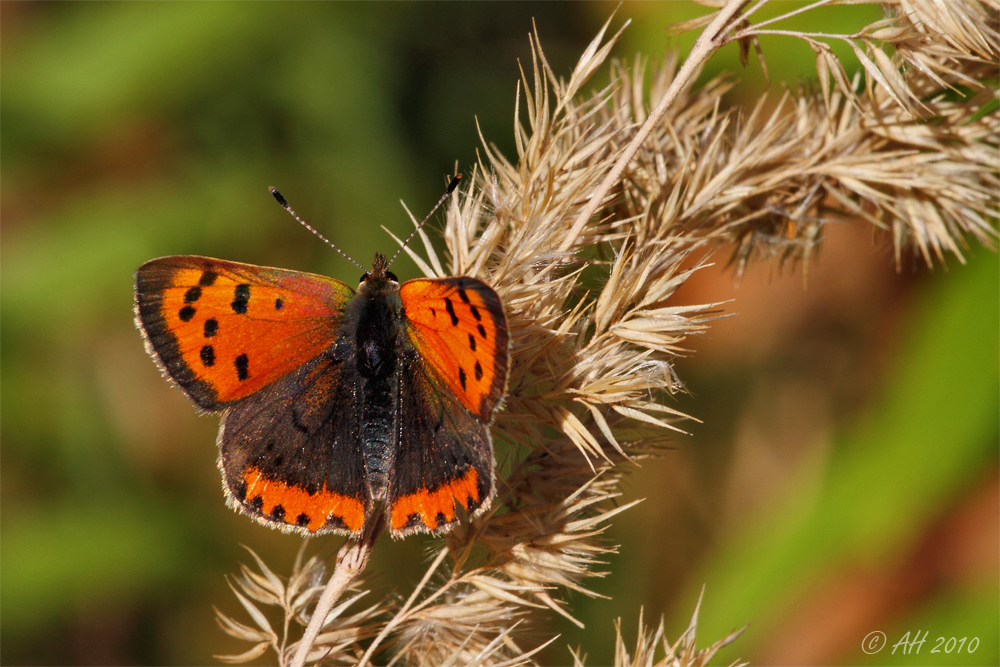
844, 479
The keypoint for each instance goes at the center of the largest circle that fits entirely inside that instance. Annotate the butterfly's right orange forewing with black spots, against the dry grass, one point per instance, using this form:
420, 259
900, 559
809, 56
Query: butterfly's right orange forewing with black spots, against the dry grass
459, 328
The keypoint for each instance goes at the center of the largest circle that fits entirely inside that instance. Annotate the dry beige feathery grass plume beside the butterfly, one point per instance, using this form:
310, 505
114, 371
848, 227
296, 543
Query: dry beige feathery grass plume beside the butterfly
910, 147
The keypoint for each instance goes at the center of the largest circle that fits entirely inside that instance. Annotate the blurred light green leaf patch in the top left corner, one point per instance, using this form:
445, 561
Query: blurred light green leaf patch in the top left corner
117, 58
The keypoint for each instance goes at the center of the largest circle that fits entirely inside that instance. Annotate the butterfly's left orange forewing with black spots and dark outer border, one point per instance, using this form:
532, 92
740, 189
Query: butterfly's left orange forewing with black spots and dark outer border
224, 330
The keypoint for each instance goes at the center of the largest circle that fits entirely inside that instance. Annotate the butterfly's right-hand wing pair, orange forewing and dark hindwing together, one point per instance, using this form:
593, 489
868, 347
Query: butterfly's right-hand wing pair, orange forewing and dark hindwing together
454, 373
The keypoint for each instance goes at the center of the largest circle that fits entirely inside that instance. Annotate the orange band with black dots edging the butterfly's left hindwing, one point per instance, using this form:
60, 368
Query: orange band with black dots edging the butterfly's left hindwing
296, 506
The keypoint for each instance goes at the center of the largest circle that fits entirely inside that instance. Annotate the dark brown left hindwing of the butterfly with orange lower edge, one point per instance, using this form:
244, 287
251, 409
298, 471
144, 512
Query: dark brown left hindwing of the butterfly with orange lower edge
291, 454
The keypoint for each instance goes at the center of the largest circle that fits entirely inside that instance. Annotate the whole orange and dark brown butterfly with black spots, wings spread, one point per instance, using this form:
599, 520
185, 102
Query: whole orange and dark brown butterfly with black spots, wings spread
336, 404
